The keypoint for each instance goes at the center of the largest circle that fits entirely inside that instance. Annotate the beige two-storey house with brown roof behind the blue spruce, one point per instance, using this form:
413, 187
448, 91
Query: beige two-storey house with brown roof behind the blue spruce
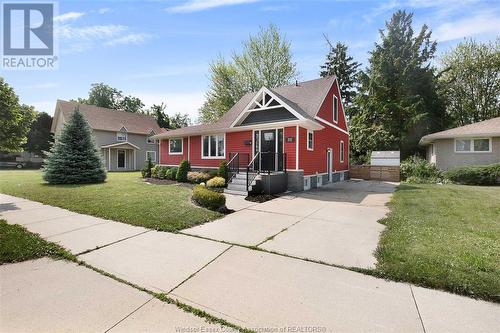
123, 137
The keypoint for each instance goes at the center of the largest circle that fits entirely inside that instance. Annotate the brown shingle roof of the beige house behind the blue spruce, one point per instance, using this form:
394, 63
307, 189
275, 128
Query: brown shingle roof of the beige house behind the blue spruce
111, 120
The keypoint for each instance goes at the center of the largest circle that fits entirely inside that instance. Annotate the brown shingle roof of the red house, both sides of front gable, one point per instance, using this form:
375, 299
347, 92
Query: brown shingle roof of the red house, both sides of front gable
305, 98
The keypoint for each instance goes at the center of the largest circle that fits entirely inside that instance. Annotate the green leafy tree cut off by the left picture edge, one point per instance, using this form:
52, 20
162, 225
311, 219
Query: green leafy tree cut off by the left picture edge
15, 119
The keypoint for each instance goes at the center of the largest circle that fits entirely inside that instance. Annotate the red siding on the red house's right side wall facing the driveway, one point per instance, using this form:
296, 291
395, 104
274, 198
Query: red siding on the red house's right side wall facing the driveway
329, 137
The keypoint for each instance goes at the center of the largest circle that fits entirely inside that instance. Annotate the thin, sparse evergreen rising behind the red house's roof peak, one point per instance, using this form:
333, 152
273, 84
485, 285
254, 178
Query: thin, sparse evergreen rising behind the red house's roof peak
339, 63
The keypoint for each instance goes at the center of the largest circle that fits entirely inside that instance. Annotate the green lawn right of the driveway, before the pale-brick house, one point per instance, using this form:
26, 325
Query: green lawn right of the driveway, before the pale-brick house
444, 236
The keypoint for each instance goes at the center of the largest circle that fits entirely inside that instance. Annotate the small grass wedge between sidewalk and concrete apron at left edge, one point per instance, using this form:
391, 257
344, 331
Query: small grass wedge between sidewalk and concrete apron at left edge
18, 244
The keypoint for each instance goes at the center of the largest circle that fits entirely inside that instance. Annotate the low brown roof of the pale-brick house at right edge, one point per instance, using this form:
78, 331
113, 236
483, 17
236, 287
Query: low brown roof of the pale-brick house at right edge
490, 127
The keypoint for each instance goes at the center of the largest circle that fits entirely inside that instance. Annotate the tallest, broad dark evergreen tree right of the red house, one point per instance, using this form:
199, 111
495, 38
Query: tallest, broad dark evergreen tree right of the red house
398, 101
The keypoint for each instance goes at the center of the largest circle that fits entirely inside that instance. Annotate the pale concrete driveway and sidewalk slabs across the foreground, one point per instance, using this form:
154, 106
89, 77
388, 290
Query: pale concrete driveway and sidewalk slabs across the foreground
244, 286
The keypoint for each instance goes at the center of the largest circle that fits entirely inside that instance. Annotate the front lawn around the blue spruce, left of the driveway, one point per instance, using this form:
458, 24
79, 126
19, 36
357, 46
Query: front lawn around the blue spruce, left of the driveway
123, 197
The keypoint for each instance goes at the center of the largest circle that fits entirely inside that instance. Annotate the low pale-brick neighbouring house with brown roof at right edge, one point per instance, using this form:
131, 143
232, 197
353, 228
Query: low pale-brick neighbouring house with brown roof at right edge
474, 144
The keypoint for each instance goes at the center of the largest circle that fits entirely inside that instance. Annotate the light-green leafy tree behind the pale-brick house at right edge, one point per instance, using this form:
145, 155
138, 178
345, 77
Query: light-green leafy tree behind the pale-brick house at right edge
470, 81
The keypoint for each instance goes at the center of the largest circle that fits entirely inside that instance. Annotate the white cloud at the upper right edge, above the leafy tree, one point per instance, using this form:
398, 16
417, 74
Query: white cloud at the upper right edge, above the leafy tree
487, 22
